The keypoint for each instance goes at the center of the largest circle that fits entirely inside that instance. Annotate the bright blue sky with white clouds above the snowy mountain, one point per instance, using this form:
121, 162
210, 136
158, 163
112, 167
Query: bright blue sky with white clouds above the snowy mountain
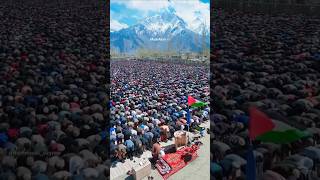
125, 13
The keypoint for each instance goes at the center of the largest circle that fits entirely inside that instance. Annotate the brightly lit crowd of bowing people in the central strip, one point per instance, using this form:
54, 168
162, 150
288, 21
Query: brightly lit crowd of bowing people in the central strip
149, 103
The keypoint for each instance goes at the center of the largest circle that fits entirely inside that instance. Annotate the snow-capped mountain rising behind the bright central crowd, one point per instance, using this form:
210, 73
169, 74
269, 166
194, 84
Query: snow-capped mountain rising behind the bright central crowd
163, 31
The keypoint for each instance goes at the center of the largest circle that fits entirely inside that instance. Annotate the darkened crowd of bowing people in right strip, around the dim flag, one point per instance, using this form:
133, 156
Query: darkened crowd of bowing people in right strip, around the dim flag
271, 62
